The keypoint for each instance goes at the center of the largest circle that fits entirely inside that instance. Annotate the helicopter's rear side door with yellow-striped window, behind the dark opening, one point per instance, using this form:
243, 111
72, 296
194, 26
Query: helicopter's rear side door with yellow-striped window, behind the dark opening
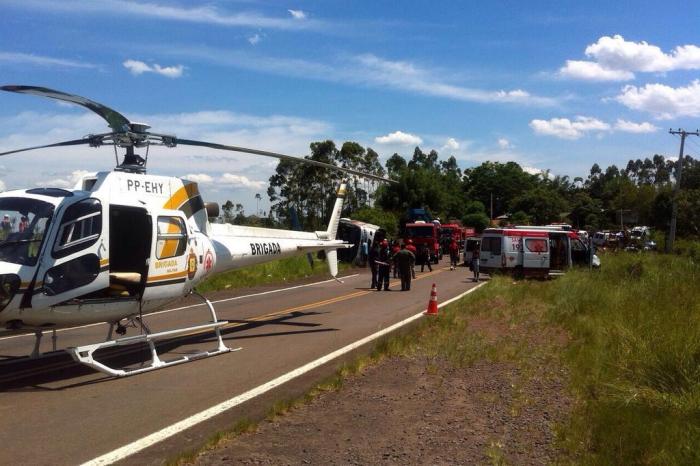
168, 268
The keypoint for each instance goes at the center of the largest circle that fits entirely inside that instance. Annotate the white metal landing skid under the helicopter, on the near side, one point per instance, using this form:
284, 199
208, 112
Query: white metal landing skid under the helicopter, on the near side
84, 354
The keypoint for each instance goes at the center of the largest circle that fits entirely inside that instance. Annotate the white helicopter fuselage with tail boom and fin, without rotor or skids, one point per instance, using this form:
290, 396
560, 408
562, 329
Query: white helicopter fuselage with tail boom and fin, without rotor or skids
123, 243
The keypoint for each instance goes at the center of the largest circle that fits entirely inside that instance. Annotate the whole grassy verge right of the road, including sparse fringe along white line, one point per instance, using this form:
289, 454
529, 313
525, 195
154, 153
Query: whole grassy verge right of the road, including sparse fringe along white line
627, 339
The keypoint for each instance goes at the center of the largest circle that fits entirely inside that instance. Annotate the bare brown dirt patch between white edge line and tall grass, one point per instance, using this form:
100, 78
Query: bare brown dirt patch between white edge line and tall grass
418, 410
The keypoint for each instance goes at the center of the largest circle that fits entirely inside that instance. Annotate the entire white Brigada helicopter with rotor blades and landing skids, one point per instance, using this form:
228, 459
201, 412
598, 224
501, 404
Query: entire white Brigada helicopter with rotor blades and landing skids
124, 243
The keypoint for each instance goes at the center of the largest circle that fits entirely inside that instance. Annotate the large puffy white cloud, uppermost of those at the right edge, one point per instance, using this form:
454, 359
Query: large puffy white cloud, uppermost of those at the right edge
616, 59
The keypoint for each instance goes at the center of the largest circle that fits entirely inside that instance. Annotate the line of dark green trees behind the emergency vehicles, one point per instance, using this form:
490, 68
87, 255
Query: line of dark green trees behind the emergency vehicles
640, 193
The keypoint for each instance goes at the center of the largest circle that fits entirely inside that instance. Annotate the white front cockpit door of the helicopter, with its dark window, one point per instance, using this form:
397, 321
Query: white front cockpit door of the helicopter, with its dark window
75, 260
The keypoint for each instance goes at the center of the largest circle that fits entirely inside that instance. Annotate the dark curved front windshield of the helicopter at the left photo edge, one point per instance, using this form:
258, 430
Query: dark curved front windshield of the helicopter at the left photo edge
24, 222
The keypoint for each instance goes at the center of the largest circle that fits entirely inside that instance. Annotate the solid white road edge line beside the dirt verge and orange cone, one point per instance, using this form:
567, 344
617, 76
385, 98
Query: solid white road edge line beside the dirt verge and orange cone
152, 439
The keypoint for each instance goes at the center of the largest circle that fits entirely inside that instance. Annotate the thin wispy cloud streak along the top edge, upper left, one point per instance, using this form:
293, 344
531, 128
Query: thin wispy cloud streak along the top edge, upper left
198, 14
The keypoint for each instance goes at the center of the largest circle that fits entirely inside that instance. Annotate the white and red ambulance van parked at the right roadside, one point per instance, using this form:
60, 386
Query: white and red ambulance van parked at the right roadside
533, 251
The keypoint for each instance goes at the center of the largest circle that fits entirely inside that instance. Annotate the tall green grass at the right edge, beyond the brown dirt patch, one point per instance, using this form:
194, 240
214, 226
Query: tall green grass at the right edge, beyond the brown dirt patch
634, 359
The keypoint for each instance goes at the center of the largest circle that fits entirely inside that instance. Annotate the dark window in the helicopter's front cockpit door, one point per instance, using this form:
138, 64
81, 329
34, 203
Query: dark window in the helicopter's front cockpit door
81, 226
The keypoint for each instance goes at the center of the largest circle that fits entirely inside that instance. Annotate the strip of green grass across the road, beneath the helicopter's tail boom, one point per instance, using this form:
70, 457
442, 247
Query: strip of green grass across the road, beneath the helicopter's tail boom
283, 270
